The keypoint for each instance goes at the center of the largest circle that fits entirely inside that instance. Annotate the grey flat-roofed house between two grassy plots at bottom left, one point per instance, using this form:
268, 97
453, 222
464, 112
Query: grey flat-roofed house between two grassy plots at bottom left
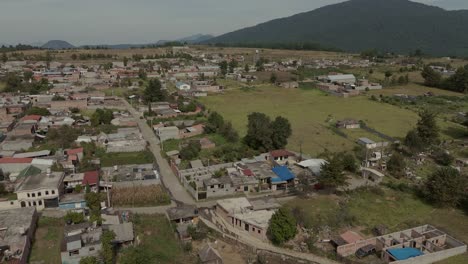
80, 241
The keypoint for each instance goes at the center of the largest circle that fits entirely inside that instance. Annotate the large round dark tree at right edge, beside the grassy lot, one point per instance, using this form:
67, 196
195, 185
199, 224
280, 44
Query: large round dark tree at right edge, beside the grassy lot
445, 187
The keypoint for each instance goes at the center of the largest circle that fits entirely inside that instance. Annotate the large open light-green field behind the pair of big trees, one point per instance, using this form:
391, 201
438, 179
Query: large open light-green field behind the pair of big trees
311, 113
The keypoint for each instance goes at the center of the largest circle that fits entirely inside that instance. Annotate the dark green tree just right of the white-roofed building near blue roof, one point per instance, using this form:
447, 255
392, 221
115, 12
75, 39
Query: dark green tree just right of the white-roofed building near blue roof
331, 175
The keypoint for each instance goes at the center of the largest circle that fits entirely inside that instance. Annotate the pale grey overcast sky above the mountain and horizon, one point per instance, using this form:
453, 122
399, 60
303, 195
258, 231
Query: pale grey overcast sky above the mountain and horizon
83, 22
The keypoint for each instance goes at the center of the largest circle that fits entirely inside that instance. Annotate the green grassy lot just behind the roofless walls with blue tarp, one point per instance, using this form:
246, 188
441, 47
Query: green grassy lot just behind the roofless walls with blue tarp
397, 210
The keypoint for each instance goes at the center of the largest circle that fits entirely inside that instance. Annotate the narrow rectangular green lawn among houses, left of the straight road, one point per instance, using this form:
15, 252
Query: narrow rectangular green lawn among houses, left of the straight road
123, 158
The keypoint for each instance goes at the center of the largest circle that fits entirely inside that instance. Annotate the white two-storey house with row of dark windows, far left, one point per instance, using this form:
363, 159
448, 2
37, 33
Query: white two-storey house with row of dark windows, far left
41, 191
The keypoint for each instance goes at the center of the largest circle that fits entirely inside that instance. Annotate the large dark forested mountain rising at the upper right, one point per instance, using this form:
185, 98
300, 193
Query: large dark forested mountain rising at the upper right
399, 26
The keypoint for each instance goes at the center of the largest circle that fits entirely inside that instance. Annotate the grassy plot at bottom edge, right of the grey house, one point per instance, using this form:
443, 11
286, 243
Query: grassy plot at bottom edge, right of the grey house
158, 242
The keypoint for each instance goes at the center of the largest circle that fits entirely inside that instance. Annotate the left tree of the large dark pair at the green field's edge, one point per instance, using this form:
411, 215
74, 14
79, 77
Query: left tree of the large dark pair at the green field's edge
259, 134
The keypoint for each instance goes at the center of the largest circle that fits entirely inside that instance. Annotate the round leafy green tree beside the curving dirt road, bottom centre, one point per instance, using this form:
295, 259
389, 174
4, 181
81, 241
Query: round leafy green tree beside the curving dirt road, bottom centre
282, 226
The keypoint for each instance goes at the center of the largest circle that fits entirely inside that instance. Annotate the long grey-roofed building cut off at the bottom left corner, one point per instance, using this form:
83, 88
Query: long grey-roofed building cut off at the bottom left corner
16, 234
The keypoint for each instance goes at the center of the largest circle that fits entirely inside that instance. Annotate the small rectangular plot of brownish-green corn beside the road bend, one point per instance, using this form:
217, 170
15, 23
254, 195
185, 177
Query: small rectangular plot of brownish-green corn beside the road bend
139, 196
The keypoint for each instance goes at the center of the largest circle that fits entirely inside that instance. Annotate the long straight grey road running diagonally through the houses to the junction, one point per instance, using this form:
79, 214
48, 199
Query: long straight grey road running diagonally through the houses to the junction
169, 179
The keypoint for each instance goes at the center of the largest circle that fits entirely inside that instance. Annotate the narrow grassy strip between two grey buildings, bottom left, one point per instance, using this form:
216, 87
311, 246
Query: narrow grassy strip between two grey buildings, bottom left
47, 240
